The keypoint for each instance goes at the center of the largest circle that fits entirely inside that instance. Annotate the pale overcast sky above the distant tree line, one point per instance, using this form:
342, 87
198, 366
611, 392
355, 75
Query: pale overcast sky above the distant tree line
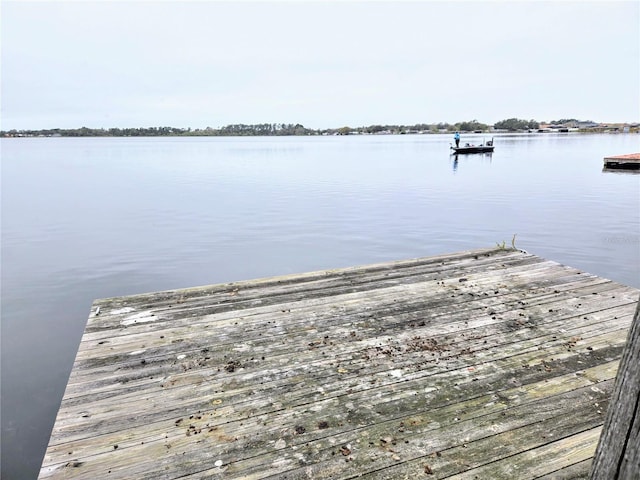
322, 64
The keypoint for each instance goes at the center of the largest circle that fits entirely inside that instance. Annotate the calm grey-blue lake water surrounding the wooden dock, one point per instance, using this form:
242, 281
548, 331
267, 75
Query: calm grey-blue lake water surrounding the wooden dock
99, 217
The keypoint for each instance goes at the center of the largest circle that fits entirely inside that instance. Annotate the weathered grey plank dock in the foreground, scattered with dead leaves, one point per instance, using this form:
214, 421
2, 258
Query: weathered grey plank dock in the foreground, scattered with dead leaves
484, 364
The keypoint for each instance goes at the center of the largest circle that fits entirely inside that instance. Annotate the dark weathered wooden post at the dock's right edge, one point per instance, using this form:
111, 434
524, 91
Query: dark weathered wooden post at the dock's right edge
618, 453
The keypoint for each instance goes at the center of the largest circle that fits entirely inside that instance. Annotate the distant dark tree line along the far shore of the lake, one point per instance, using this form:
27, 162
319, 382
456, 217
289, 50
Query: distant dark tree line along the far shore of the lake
282, 129
